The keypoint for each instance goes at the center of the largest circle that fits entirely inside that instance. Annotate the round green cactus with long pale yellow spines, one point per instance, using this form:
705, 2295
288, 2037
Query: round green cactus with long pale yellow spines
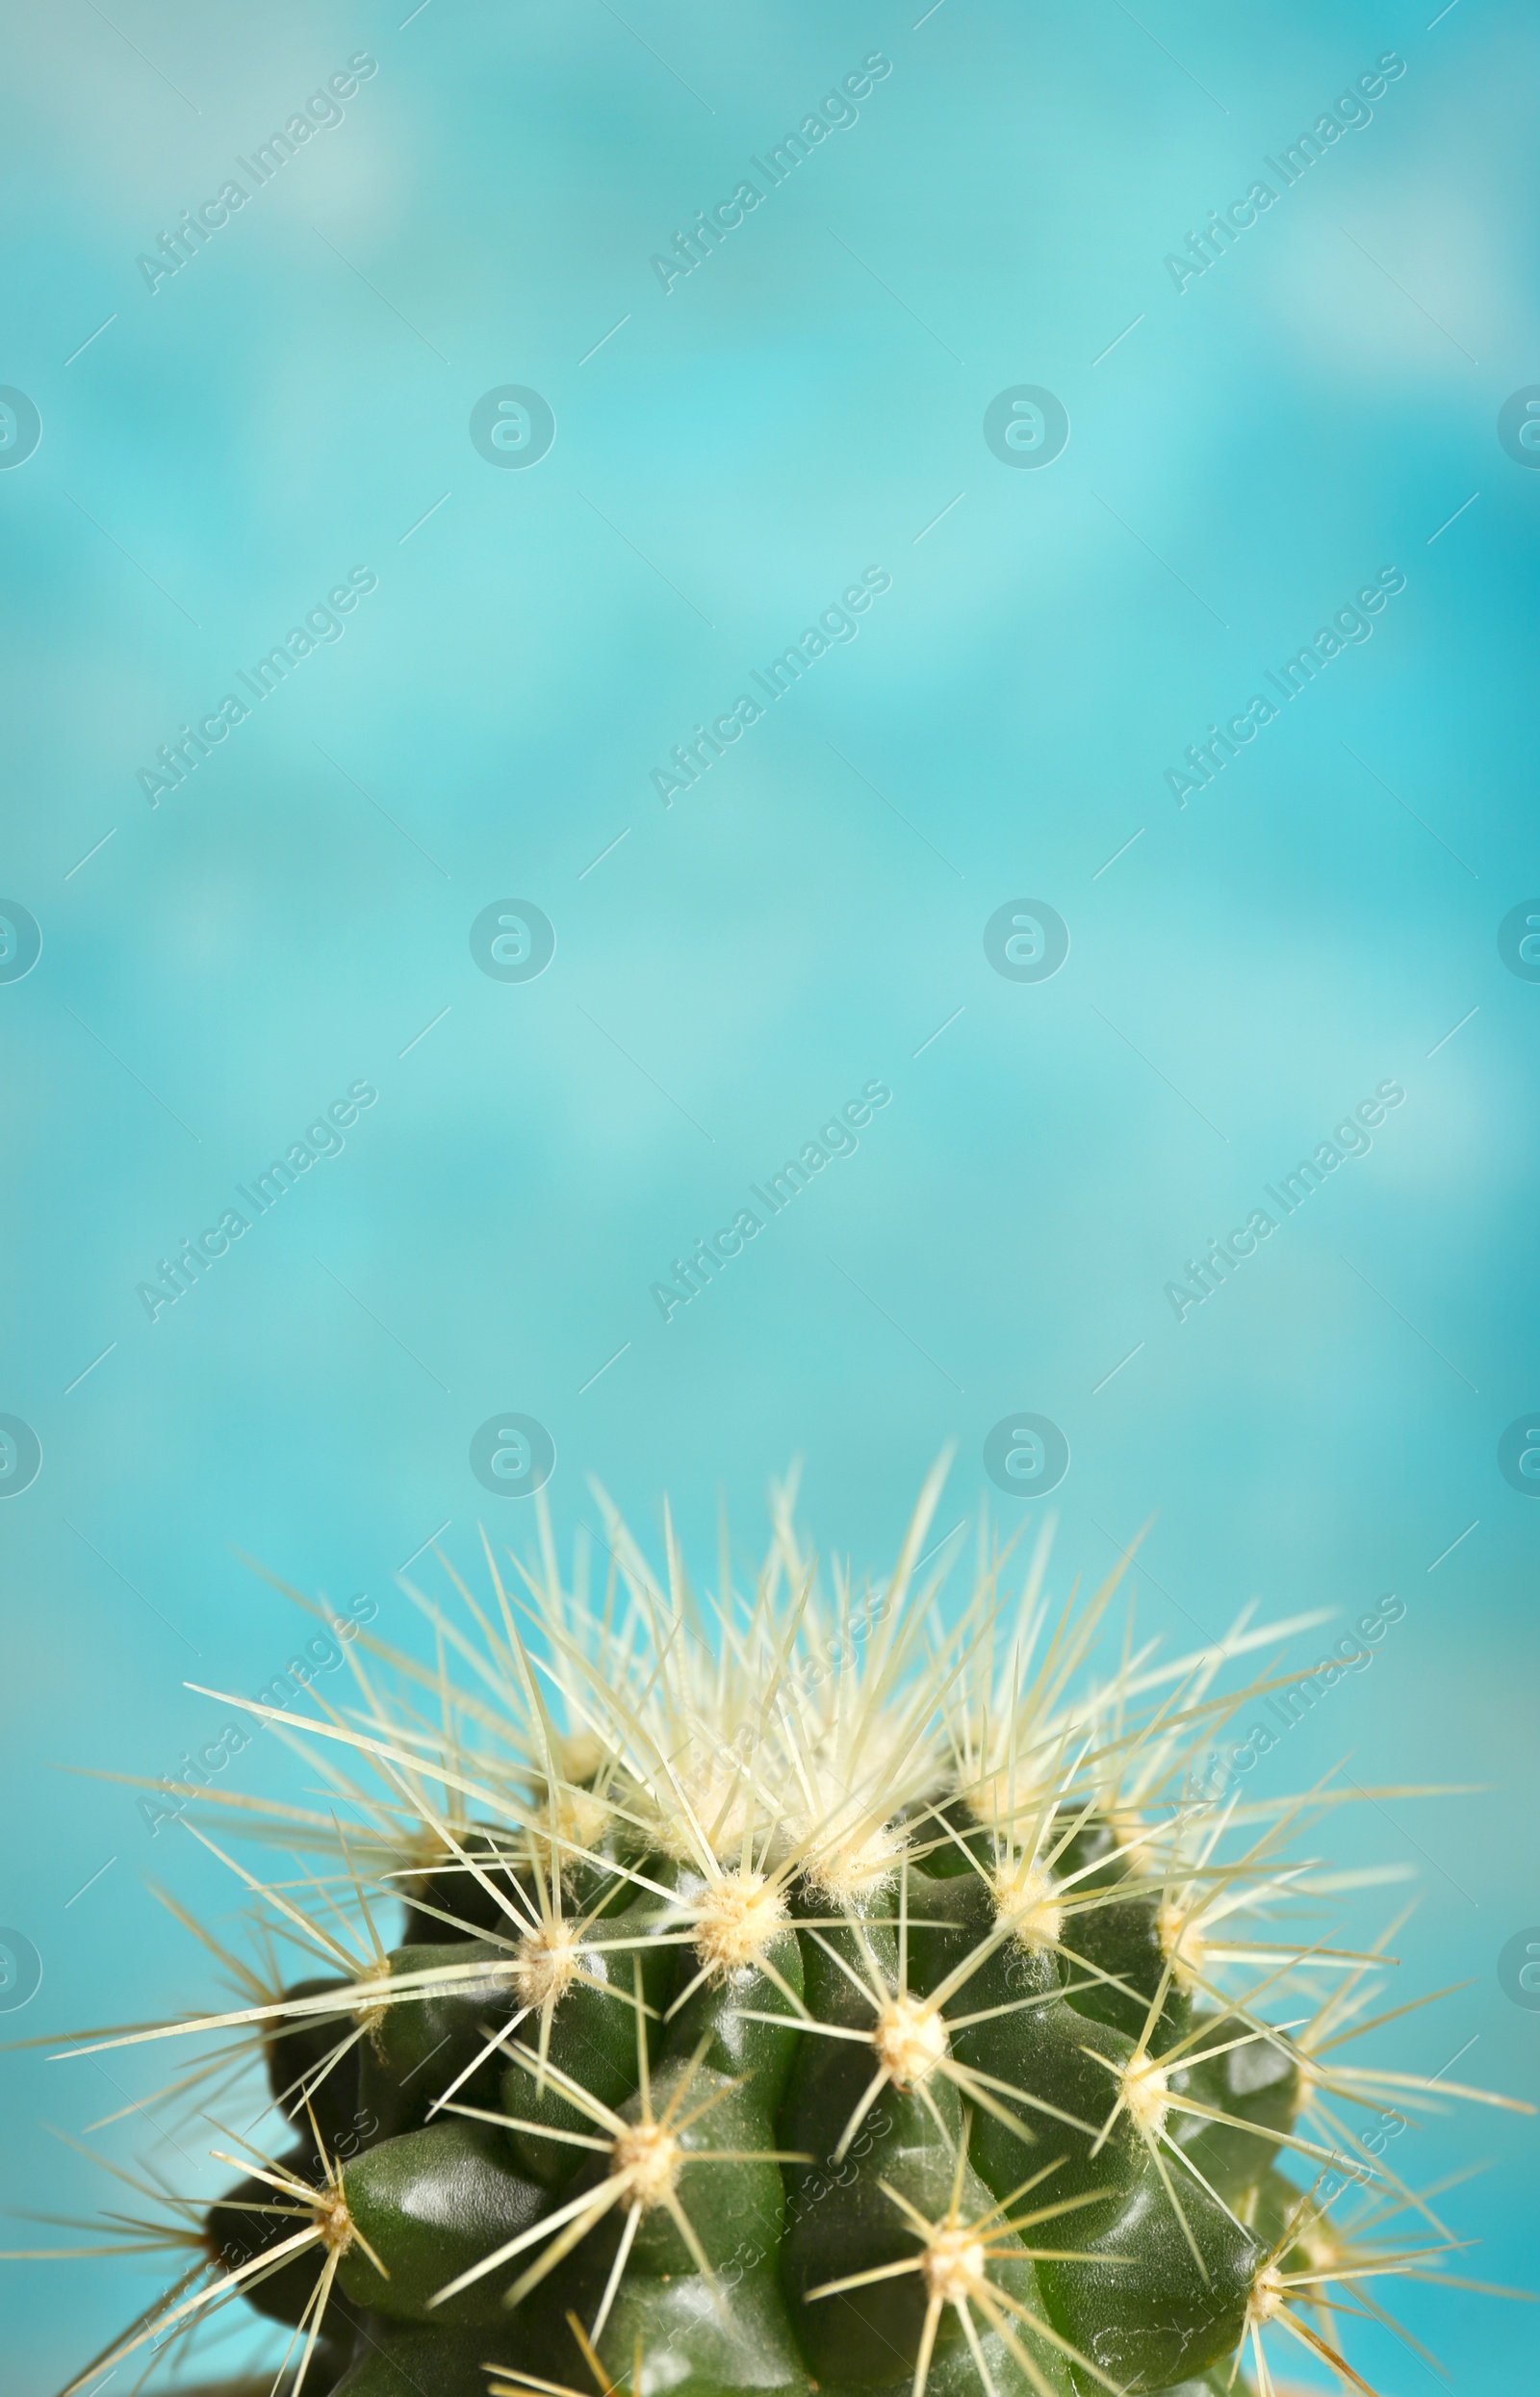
794, 1993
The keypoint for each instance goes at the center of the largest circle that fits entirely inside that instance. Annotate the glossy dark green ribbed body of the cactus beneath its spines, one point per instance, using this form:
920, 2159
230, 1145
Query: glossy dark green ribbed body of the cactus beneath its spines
816, 2175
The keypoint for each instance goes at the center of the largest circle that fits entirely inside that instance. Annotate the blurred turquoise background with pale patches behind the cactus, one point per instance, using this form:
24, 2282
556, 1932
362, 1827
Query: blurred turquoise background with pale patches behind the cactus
729, 457
